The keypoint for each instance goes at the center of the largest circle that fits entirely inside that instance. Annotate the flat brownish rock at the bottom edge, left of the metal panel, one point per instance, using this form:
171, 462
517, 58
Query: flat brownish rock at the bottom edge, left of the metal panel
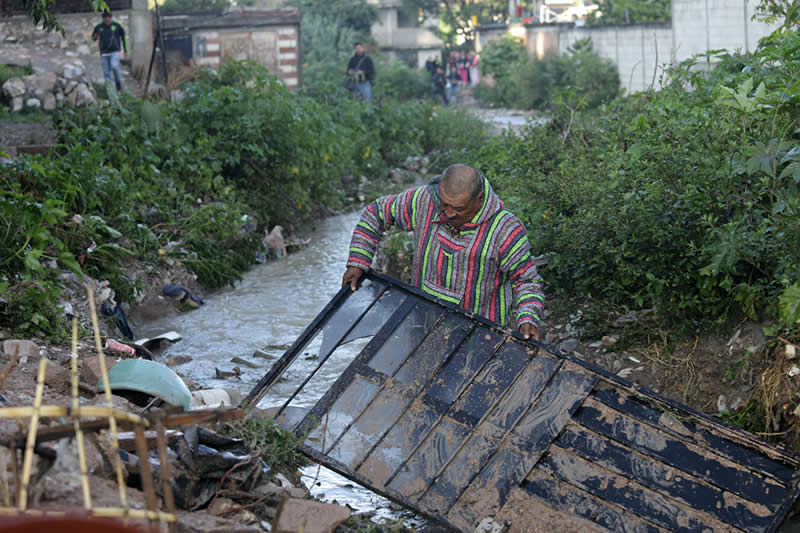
295, 515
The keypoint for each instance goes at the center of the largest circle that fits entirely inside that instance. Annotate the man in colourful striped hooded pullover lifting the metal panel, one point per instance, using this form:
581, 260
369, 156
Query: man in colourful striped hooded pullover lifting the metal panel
468, 249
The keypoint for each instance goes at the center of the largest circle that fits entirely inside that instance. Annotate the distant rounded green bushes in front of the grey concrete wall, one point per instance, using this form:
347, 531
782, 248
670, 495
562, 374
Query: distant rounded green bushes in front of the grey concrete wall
527, 83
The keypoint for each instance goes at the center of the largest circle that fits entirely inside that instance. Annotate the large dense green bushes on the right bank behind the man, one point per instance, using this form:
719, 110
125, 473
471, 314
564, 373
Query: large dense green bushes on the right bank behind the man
685, 199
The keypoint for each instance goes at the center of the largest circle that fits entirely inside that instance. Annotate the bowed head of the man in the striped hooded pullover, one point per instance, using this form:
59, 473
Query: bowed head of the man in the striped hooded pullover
460, 194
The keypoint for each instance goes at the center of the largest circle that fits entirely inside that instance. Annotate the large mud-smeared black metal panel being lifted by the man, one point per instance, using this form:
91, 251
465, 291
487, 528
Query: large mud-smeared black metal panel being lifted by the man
461, 420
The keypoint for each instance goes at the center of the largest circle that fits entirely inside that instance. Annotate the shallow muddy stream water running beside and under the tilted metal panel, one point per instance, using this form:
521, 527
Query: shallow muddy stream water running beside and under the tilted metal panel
267, 311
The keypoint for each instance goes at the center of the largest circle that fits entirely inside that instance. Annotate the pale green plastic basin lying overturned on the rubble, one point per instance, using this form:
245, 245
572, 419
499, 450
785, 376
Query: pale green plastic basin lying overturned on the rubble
140, 380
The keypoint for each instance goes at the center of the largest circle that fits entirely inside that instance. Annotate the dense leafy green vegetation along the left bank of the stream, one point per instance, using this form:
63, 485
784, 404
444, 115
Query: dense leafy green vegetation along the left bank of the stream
170, 182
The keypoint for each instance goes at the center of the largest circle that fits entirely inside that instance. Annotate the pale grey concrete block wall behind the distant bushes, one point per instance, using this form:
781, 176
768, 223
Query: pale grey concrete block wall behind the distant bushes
642, 51
